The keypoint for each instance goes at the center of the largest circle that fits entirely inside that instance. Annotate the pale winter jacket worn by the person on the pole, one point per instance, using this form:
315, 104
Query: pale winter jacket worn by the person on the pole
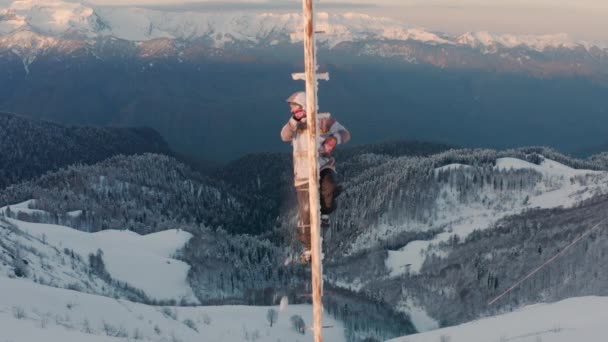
296, 132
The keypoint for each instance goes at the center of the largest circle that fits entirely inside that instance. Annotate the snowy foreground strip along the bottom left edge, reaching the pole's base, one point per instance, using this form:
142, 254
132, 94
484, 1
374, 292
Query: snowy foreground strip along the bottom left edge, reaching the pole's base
31, 312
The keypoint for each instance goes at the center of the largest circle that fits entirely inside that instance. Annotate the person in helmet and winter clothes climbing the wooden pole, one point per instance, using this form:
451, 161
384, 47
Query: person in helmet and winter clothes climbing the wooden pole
330, 133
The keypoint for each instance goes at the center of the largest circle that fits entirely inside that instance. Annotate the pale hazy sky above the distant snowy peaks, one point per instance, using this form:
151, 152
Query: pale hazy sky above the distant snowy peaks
581, 19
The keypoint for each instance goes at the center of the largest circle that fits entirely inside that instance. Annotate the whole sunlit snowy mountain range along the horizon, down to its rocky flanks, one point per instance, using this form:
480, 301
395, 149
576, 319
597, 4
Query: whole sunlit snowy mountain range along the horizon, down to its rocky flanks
32, 27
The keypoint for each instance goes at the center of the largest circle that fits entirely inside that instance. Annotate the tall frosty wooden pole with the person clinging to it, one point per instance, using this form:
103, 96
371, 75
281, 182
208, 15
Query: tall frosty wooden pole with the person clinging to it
313, 173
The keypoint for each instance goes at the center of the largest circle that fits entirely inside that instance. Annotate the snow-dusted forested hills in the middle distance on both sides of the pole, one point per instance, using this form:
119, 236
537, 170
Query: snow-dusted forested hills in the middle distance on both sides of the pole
421, 239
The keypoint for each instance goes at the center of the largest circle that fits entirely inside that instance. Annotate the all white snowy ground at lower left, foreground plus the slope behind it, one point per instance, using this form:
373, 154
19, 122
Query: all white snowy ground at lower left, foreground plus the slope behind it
30, 311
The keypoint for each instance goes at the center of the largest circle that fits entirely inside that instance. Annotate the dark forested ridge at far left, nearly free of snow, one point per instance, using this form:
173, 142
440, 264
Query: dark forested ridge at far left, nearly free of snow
31, 147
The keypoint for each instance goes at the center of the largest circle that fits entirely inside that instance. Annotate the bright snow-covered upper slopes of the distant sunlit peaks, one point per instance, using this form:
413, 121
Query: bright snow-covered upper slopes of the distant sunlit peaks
70, 18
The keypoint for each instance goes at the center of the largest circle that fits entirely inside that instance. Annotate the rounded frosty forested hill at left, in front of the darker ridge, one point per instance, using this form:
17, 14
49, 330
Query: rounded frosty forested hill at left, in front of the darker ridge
143, 193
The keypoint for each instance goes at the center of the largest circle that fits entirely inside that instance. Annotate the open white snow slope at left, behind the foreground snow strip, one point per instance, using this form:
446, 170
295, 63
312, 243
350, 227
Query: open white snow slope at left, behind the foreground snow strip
144, 262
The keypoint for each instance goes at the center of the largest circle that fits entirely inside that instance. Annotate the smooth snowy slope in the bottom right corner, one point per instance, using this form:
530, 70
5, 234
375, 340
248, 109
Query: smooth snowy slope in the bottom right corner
580, 319
